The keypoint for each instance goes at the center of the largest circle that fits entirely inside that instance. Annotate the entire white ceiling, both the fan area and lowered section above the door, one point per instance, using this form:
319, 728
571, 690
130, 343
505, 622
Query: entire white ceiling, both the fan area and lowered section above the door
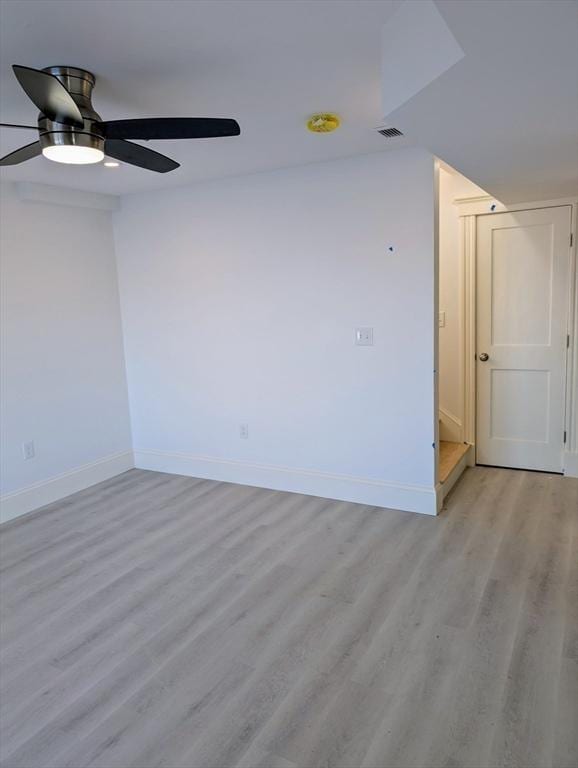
505, 115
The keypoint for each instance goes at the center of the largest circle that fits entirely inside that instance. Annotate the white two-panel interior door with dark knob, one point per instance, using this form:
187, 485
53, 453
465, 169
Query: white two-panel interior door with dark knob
523, 267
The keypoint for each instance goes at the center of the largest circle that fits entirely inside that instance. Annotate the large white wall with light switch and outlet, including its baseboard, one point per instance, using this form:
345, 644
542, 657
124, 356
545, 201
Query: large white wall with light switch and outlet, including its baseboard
240, 299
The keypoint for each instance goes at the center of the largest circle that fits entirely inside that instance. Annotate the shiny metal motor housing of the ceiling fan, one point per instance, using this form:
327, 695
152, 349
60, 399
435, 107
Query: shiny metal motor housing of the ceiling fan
79, 83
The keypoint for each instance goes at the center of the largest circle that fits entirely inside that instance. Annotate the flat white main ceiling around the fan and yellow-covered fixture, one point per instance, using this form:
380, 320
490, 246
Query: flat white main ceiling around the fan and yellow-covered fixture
269, 64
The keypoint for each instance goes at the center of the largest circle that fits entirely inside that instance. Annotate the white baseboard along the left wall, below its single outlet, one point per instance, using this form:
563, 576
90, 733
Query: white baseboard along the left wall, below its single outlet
45, 492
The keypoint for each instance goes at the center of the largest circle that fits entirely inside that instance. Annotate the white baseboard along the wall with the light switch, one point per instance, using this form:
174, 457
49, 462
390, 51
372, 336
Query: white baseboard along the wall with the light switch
409, 498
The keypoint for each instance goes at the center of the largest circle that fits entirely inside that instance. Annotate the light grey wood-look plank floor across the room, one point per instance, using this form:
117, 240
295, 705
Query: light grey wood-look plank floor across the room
157, 620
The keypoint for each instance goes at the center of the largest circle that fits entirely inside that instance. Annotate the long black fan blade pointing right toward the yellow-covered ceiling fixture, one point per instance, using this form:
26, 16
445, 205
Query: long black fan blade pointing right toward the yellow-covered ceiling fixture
171, 128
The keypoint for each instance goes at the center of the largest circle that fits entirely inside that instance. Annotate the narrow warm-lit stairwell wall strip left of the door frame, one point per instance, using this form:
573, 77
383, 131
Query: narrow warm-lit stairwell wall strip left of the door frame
452, 186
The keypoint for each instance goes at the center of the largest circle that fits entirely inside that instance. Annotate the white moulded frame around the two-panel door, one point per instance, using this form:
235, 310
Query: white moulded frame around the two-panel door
469, 209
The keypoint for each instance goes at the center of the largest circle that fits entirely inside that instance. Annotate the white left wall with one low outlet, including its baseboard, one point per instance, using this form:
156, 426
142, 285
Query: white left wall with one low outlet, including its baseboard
63, 373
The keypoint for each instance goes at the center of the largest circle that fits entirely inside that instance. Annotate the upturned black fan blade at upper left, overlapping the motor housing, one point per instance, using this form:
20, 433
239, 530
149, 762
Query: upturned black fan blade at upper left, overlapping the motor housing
49, 95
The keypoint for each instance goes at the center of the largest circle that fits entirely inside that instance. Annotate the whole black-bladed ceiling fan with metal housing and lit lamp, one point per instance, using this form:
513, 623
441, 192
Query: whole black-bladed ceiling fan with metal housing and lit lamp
70, 131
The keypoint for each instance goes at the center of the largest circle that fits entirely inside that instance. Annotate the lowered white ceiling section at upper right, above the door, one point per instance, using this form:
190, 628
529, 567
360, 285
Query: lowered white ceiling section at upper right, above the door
506, 115
